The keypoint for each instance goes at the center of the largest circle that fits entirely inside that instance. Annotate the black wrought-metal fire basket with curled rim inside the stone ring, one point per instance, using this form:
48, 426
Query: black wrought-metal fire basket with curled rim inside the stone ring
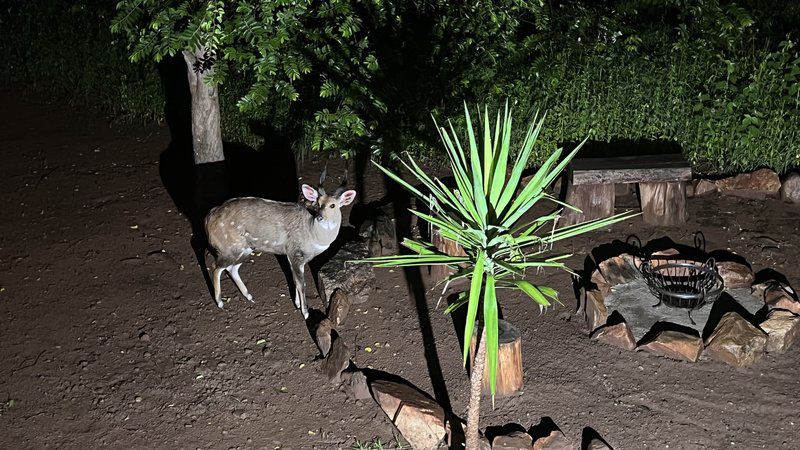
685, 285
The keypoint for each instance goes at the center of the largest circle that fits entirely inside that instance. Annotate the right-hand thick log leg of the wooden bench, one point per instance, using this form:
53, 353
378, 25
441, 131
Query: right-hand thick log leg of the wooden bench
663, 203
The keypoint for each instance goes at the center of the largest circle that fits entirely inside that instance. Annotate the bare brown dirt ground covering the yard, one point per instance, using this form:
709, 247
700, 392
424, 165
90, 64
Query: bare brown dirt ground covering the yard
110, 338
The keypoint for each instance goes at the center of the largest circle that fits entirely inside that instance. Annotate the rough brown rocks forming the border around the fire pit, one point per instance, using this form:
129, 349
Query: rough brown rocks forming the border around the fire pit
734, 341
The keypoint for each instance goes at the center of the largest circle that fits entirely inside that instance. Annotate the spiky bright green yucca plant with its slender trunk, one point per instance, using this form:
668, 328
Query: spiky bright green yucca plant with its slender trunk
485, 214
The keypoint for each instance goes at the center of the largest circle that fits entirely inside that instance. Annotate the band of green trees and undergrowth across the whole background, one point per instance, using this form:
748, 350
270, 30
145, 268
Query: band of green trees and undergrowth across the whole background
717, 77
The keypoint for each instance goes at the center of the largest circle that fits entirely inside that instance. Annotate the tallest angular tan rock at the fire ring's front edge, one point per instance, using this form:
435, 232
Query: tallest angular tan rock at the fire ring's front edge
736, 341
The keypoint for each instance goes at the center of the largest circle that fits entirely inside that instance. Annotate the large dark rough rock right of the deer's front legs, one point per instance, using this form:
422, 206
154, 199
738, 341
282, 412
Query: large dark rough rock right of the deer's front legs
341, 272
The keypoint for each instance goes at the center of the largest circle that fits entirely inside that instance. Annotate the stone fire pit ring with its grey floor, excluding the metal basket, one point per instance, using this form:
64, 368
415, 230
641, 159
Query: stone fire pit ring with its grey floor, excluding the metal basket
738, 328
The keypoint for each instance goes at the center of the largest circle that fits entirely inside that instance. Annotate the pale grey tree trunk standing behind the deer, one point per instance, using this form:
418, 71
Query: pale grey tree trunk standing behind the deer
206, 130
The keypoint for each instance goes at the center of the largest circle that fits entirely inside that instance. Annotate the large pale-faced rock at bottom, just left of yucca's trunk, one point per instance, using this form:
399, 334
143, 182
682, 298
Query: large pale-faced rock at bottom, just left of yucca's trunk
419, 419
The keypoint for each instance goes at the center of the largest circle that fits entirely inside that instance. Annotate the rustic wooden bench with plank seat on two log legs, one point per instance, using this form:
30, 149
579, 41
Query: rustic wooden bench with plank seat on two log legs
661, 179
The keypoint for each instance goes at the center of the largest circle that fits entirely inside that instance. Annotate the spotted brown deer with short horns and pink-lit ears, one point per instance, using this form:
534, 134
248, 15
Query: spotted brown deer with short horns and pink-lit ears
243, 225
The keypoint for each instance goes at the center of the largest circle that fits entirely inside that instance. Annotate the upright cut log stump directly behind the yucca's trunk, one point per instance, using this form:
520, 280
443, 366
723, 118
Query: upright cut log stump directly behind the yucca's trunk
509, 361
